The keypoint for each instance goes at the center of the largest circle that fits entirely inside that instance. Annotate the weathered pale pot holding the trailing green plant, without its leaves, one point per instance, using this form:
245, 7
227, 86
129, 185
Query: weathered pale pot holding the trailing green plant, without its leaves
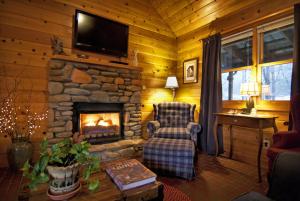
63, 179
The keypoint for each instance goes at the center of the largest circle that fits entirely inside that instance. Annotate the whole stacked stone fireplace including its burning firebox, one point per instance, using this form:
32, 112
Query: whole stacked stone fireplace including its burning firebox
101, 102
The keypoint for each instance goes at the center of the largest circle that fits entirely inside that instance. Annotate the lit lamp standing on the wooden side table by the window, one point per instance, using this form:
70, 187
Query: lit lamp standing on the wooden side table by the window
249, 89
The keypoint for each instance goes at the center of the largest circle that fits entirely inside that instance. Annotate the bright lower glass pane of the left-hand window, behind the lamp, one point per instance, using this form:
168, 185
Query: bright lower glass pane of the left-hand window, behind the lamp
231, 84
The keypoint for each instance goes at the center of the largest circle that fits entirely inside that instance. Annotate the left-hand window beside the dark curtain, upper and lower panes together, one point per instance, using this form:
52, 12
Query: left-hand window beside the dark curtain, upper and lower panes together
236, 61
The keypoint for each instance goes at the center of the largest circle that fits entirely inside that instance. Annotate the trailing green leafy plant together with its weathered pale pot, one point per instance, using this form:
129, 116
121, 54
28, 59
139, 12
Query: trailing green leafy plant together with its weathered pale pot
60, 165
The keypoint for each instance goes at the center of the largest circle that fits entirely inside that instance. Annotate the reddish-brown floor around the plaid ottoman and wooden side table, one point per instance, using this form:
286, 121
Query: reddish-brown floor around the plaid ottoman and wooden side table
217, 179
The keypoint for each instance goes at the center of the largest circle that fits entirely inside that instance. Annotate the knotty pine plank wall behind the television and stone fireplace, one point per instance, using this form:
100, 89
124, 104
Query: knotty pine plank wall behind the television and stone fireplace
25, 49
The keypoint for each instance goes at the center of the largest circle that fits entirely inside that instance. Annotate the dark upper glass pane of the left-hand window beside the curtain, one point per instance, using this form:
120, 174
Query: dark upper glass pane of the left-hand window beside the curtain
236, 54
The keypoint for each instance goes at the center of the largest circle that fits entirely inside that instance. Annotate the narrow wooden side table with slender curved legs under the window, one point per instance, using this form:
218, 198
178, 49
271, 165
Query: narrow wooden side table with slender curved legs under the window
257, 122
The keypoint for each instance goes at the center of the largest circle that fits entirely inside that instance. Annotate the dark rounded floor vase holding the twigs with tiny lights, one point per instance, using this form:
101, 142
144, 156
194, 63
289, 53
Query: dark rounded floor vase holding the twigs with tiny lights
18, 153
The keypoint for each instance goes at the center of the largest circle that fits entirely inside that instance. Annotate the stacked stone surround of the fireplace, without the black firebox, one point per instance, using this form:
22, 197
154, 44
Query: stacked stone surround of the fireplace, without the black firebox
71, 82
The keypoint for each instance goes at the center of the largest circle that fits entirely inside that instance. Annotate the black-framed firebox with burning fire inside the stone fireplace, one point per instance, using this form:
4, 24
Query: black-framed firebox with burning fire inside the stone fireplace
98, 122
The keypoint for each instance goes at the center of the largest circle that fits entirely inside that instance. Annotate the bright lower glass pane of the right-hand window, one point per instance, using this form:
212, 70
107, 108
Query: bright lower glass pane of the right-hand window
276, 82
